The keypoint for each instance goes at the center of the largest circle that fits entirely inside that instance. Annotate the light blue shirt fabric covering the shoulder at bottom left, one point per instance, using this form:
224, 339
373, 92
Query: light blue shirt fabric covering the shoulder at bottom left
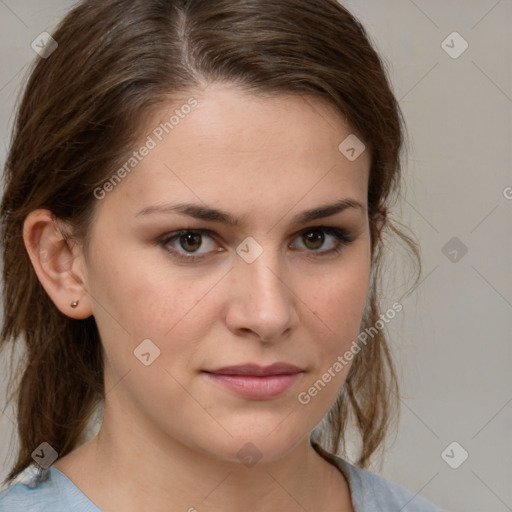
36, 490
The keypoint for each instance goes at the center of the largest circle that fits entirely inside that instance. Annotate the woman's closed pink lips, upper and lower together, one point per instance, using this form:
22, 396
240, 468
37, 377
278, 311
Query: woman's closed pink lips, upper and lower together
256, 382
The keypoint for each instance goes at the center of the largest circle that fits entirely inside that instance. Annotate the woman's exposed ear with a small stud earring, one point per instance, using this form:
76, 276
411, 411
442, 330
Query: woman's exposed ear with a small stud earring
58, 262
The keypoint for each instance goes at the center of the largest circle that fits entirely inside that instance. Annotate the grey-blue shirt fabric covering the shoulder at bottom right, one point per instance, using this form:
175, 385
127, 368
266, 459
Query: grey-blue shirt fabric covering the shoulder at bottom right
373, 493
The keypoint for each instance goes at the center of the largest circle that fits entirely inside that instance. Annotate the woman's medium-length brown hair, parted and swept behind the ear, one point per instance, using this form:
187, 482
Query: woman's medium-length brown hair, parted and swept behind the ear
82, 112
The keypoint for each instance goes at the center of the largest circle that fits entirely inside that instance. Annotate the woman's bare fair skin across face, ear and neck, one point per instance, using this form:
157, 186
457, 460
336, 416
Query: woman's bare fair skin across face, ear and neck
170, 437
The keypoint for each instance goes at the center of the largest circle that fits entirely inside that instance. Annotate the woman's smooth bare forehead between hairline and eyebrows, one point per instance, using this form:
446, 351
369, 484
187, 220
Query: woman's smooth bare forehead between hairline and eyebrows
225, 146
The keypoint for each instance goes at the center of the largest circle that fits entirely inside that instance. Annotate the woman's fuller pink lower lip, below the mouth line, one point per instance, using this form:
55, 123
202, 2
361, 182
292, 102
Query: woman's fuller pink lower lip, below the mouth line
256, 388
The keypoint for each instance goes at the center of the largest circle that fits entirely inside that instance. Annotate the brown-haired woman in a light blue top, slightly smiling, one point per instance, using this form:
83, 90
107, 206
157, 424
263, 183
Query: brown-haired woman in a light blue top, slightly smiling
195, 204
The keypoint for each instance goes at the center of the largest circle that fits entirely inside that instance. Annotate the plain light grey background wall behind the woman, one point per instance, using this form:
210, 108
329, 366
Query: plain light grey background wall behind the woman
453, 339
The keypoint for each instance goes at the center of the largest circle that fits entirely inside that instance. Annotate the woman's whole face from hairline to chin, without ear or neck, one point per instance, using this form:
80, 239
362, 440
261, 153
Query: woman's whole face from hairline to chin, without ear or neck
272, 288
